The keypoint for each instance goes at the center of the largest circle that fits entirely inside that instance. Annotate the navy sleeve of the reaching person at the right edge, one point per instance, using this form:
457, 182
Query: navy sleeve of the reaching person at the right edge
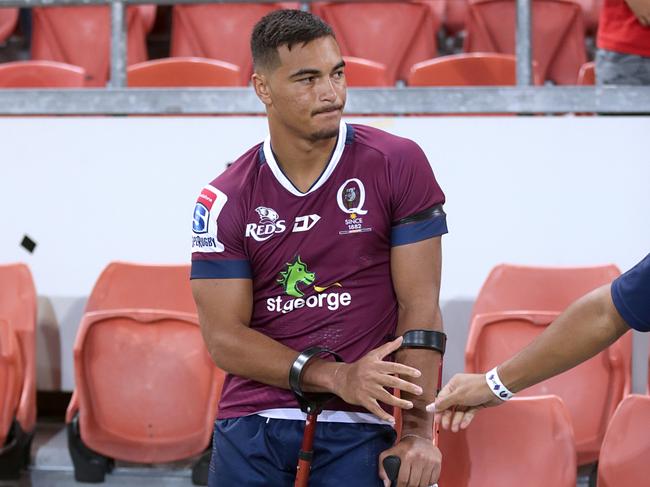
631, 295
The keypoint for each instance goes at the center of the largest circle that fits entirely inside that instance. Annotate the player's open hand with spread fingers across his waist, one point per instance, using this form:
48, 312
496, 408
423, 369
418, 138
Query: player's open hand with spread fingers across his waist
363, 382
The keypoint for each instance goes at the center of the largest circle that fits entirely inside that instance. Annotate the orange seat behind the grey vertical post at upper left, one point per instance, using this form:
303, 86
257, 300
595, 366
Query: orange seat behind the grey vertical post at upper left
81, 36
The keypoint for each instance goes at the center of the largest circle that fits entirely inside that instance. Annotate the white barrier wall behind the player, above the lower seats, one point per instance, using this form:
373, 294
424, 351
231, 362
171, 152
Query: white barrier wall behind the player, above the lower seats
529, 190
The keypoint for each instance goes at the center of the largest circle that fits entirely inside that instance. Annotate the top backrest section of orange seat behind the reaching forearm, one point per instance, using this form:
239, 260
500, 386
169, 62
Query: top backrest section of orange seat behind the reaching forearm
517, 287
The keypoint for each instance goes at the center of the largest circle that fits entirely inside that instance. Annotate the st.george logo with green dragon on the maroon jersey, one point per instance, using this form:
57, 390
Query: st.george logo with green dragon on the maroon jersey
297, 278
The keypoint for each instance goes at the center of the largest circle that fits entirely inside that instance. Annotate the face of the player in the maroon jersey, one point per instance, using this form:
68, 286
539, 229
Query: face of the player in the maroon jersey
306, 92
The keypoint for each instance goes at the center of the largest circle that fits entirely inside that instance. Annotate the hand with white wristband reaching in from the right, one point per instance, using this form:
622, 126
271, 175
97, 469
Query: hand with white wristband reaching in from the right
459, 401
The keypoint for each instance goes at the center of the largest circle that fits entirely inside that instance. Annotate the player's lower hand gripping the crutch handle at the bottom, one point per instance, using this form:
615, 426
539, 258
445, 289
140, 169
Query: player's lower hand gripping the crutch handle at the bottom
420, 465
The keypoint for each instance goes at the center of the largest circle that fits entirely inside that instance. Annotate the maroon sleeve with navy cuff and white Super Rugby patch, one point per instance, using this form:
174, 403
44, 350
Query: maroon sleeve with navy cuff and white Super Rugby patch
218, 250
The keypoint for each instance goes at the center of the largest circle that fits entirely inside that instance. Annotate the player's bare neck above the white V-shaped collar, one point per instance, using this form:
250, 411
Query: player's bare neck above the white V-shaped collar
301, 160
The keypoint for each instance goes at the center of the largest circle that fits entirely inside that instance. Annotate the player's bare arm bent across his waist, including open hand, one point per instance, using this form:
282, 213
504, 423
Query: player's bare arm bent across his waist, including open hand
225, 308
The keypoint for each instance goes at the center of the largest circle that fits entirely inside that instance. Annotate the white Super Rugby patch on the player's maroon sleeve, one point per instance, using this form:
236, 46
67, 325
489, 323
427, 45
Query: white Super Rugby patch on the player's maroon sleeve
204, 225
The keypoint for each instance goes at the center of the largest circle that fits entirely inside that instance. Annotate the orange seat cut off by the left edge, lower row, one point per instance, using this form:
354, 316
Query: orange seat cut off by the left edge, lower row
17, 367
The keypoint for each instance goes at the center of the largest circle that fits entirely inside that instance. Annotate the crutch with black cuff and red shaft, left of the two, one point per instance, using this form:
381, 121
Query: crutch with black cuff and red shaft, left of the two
311, 404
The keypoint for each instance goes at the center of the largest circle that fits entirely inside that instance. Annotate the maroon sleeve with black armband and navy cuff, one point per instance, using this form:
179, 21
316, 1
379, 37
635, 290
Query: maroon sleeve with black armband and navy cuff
416, 198
